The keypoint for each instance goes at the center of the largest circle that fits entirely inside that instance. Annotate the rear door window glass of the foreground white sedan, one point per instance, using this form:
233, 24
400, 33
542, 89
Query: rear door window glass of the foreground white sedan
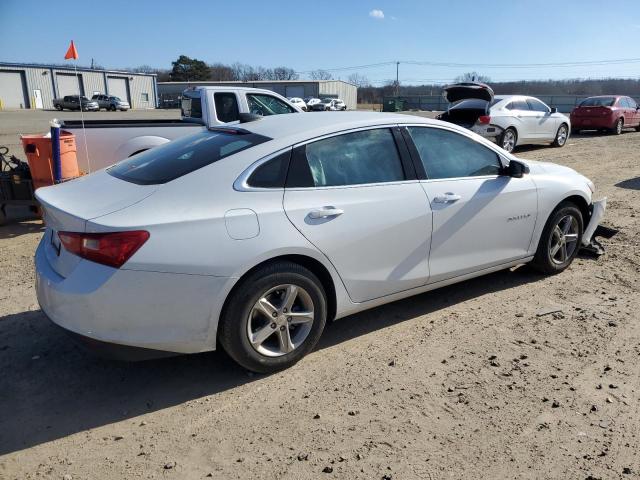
357, 158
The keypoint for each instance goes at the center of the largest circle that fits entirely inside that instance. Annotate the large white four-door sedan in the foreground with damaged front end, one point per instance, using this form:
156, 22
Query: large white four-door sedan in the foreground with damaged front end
253, 236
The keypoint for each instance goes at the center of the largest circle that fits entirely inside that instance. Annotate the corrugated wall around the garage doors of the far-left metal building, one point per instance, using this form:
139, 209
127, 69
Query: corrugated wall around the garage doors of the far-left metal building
141, 87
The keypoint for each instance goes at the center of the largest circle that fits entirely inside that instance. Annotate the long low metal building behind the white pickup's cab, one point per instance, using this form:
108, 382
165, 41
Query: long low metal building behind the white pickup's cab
168, 92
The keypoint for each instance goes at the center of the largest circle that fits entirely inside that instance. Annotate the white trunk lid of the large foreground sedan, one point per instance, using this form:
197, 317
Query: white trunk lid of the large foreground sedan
68, 206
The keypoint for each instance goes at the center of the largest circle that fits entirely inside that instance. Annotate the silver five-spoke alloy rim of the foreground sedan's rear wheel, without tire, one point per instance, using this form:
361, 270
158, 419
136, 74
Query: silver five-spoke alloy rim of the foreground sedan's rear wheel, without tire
280, 321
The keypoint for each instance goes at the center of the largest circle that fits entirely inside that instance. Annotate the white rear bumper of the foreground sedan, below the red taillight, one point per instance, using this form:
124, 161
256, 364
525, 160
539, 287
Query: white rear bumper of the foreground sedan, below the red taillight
157, 311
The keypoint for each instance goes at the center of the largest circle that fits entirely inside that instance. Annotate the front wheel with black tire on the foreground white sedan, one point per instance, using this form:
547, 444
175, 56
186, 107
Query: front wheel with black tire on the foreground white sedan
560, 239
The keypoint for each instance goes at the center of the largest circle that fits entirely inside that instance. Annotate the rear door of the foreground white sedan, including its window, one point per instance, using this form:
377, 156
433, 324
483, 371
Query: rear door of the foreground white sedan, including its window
355, 198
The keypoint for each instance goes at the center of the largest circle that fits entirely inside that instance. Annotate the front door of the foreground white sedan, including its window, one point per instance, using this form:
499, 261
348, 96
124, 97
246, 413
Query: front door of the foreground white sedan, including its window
481, 217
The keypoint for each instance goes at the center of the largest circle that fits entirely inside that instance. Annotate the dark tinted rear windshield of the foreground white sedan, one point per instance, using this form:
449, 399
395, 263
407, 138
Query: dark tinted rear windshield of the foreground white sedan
185, 155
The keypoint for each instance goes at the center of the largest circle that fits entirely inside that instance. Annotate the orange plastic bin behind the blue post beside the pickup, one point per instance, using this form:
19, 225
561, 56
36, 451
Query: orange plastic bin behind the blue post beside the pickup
38, 151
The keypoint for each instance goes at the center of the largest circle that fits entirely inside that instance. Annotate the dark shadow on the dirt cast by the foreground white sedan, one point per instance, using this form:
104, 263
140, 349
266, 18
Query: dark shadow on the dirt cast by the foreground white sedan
50, 388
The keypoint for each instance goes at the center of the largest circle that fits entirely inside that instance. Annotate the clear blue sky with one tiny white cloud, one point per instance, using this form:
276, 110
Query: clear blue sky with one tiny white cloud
308, 35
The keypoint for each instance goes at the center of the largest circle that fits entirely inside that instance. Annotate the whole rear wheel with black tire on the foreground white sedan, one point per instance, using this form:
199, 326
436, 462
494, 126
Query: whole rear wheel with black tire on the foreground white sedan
274, 317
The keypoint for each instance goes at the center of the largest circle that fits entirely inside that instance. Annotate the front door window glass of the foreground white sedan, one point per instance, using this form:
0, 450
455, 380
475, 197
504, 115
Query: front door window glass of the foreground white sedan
447, 154
